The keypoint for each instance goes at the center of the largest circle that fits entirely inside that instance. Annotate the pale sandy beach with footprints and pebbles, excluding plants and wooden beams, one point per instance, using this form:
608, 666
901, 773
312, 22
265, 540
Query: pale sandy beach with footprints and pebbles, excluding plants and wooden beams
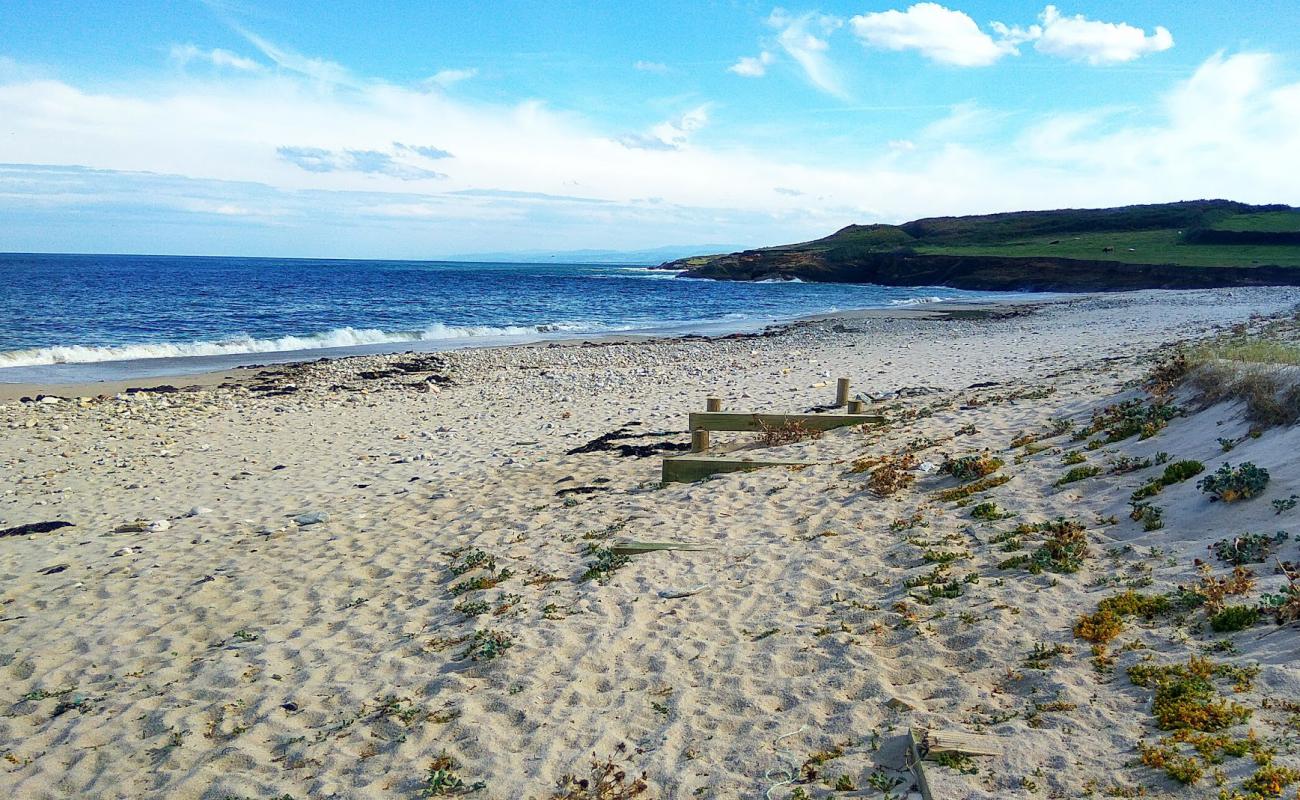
384, 576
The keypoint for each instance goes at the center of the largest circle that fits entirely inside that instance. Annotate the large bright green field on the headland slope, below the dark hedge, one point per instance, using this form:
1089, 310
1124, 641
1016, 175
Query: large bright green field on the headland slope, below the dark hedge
1134, 248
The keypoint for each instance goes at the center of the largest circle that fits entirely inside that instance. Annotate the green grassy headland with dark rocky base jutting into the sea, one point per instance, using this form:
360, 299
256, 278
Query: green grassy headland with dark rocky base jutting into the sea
1164, 247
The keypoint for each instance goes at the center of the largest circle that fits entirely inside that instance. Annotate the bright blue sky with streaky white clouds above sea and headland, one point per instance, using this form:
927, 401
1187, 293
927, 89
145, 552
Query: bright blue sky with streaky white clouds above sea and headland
406, 129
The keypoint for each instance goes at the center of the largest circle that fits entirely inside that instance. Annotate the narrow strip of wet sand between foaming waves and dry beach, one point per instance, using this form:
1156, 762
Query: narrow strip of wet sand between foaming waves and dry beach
244, 374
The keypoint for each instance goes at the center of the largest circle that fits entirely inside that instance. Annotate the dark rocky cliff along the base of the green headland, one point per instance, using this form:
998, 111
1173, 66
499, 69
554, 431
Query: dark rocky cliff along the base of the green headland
987, 274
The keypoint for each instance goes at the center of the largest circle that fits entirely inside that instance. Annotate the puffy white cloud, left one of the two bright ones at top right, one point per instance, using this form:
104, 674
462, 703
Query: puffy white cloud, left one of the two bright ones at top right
938, 33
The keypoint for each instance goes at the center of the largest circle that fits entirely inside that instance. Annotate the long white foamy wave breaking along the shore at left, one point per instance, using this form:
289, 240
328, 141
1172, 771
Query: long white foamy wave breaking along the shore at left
341, 338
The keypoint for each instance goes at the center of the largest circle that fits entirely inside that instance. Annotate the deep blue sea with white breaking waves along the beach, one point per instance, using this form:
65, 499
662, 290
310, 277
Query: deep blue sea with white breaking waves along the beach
67, 318
